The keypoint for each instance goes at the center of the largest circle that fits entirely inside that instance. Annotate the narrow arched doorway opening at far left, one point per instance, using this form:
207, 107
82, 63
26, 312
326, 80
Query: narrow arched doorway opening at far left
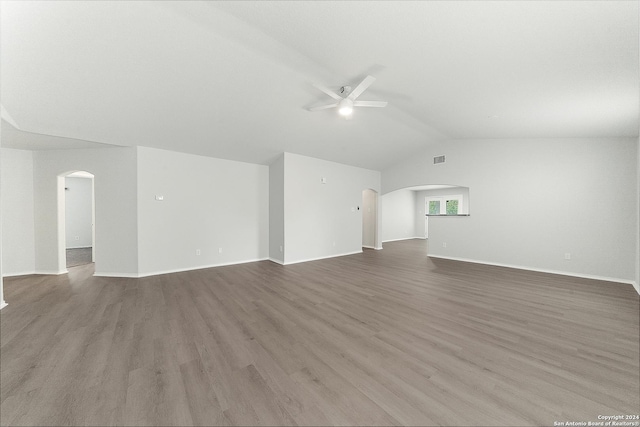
76, 222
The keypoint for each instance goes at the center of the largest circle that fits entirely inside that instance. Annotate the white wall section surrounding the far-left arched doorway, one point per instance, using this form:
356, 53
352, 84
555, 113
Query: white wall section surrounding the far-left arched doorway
115, 208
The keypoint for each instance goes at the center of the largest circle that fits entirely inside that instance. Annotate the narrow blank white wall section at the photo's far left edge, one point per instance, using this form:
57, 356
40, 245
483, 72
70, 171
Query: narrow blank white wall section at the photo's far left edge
16, 169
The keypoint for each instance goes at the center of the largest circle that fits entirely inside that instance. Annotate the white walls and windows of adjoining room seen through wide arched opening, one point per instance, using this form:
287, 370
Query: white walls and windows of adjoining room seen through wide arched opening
405, 212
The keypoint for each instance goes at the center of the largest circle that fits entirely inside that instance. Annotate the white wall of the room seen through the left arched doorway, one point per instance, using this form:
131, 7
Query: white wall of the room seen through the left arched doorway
78, 212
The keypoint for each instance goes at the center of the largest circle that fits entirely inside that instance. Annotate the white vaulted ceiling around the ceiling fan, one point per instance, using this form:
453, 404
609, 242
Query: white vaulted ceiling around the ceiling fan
234, 79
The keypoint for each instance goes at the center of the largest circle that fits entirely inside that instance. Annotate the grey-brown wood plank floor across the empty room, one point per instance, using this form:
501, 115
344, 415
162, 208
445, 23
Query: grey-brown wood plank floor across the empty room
380, 338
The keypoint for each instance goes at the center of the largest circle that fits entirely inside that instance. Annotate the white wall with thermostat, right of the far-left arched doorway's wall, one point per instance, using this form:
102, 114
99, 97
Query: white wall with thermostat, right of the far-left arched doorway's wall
208, 204
